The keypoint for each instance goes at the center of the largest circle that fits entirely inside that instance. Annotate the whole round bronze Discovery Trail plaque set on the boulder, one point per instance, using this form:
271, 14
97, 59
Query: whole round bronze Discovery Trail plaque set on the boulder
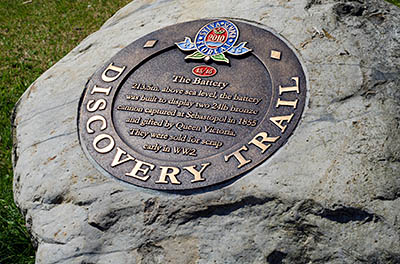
192, 105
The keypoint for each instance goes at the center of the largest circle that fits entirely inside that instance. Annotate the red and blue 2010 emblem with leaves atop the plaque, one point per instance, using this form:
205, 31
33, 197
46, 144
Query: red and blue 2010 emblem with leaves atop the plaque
213, 40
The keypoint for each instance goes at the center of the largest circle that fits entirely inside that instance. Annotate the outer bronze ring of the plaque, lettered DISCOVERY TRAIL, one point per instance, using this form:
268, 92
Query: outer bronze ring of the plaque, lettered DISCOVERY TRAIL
220, 167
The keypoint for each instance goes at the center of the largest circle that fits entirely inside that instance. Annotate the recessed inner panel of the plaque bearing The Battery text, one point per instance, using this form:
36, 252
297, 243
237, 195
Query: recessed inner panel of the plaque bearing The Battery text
162, 108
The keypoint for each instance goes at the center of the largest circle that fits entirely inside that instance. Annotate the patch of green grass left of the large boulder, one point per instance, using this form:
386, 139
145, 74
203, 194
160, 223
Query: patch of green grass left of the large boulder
33, 36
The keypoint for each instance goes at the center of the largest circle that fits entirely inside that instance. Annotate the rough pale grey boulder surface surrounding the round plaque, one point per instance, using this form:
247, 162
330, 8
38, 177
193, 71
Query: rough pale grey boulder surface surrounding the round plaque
330, 195
